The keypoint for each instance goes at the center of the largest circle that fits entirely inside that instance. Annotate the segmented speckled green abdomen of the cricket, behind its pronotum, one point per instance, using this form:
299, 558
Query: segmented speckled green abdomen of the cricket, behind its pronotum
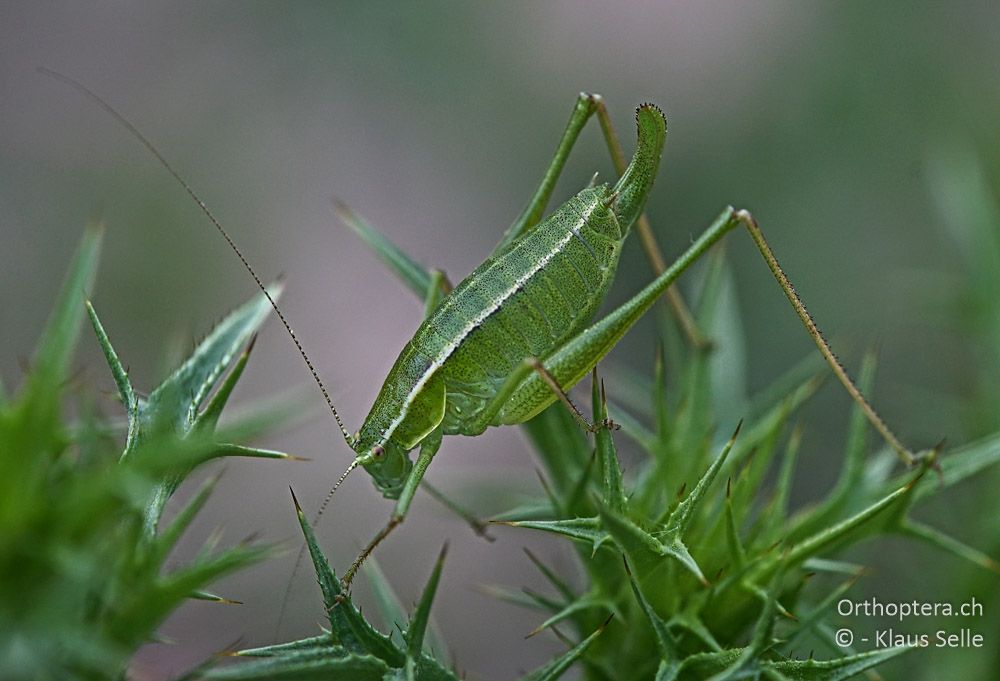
524, 303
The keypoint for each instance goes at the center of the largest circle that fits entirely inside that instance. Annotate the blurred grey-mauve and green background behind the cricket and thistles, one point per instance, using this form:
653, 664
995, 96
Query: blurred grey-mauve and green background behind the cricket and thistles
856, 132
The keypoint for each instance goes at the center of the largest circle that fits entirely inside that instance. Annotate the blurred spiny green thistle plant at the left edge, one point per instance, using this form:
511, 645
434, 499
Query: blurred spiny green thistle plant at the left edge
83, 538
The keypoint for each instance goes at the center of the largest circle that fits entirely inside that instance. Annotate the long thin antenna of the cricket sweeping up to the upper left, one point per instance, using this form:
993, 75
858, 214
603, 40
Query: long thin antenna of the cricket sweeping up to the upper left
127, 124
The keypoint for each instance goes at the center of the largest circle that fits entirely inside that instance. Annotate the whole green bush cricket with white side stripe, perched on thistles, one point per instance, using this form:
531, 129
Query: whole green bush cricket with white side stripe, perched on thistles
515, 334
